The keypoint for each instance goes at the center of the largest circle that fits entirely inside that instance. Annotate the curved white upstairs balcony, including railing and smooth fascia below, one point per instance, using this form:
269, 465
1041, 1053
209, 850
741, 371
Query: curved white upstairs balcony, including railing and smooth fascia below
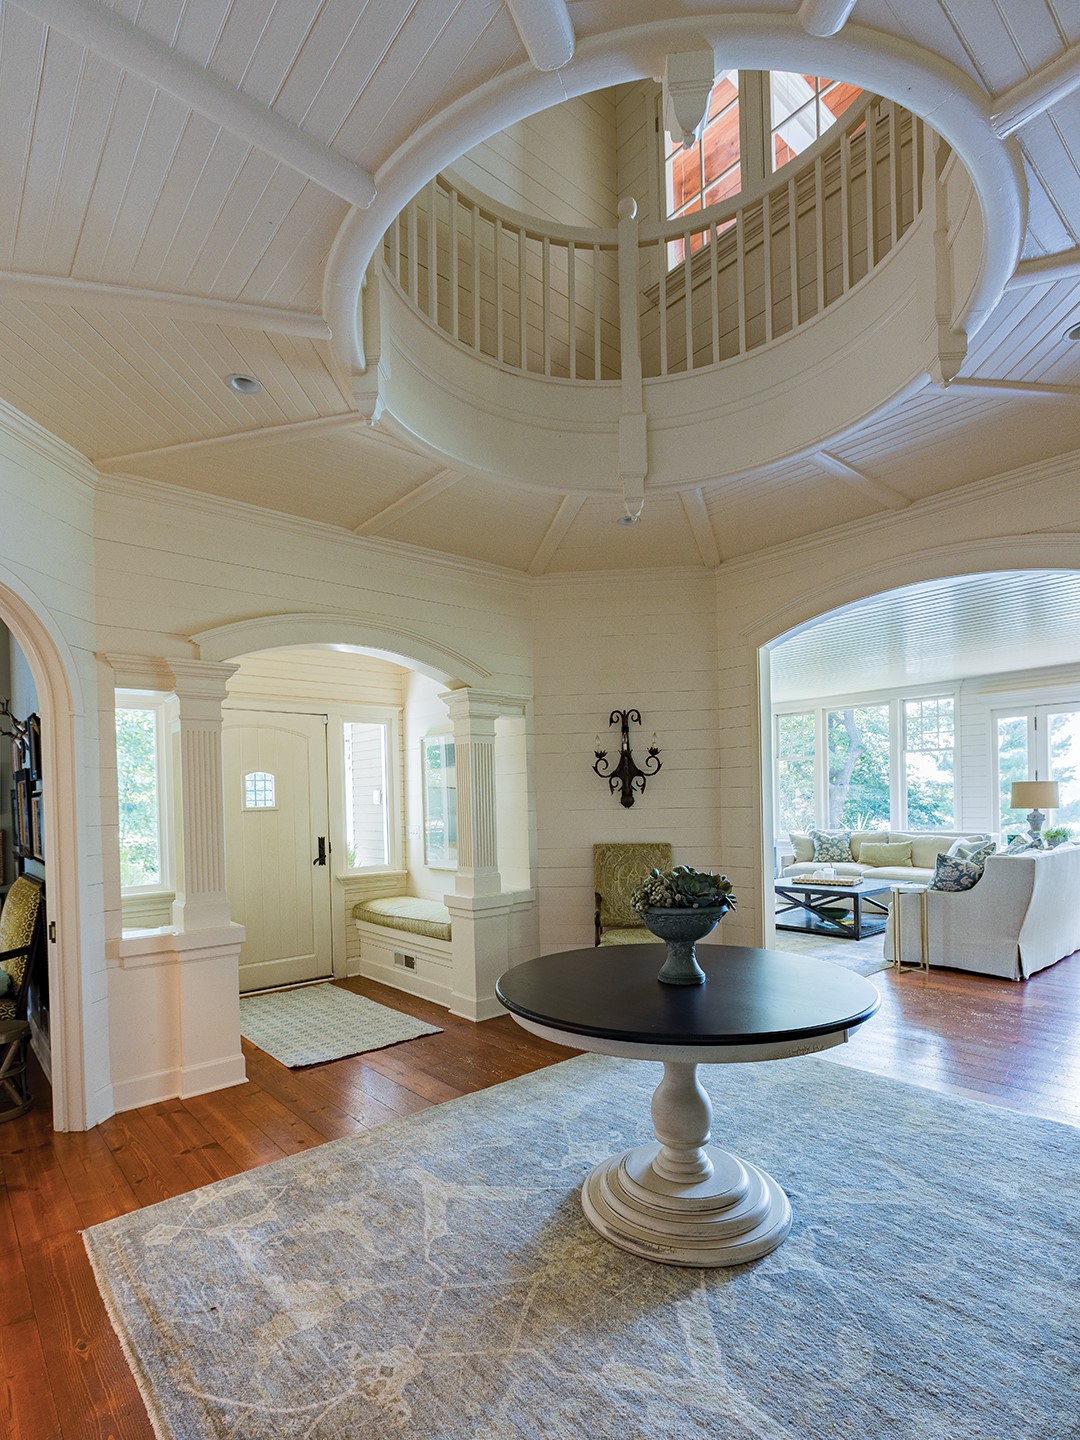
761, 328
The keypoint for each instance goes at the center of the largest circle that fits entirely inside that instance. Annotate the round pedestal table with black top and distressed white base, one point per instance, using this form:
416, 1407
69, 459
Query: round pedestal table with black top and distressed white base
682, 1200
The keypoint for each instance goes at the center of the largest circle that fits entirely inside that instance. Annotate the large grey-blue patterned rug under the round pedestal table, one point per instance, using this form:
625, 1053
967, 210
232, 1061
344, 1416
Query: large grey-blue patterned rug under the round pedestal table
436, 1278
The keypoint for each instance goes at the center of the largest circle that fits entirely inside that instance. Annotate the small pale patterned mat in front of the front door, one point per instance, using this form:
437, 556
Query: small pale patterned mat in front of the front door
316, 1023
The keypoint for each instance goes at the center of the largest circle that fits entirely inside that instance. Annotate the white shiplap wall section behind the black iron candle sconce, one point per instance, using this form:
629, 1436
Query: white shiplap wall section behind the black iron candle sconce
627, 642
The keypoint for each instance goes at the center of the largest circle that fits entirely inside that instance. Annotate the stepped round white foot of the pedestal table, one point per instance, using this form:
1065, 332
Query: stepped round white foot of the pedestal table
738, 1215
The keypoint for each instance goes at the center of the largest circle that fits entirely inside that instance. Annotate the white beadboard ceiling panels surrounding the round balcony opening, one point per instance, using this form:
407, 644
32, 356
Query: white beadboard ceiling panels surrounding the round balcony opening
110, 181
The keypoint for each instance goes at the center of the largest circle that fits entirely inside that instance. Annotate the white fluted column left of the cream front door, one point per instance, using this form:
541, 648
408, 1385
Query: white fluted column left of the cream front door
201, 898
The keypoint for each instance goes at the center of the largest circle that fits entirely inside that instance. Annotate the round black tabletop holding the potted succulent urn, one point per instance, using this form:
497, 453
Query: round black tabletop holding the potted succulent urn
751, 997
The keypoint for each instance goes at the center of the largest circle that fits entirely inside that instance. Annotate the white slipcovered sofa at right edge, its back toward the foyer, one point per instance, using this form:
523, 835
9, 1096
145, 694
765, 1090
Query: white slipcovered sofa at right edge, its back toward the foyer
1022, 917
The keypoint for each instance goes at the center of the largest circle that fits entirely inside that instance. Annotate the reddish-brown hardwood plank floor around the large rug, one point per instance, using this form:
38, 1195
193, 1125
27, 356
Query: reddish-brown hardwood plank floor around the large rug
64, 1374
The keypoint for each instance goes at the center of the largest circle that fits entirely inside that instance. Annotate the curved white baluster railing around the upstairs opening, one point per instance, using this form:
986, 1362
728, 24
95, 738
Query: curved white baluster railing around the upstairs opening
542, 299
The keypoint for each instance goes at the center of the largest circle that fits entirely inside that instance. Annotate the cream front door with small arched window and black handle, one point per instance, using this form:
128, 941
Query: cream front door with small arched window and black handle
276, 816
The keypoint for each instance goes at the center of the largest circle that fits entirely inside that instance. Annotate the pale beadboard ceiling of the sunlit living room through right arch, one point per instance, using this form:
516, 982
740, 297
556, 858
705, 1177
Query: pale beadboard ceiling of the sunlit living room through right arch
934, 633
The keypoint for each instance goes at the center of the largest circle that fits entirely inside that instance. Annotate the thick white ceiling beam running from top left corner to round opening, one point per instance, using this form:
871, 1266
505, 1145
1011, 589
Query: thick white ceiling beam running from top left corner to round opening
107, 34
